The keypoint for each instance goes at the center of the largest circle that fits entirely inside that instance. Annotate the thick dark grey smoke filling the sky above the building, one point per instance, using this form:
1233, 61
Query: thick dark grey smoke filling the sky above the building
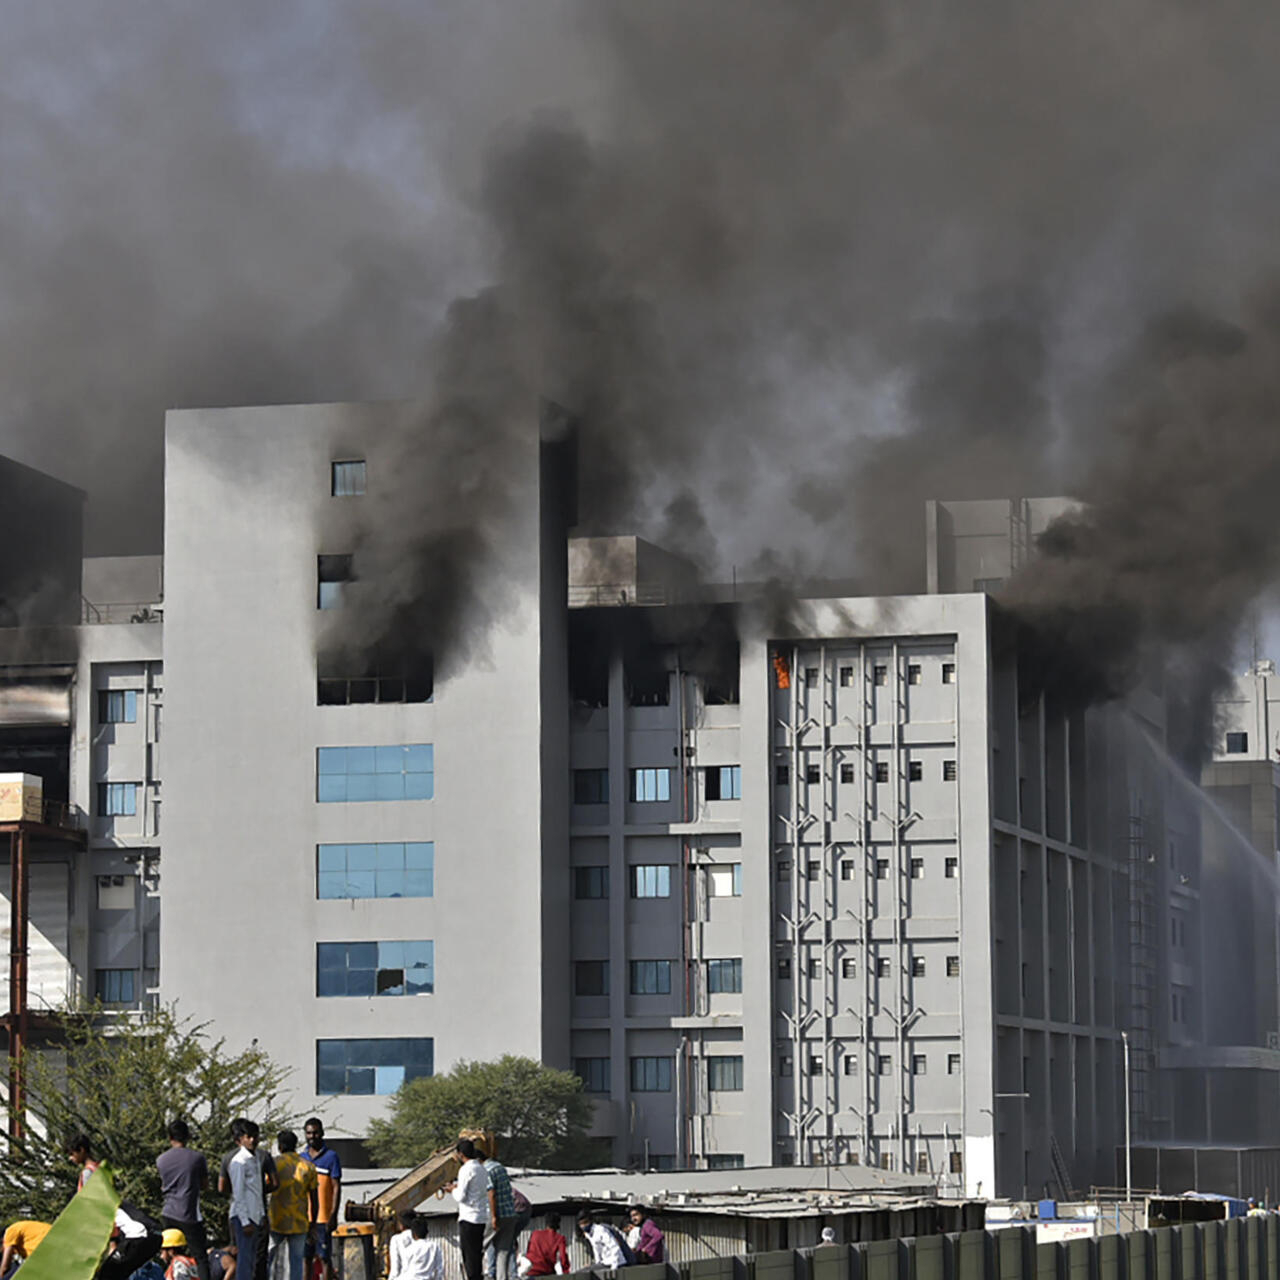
792, 268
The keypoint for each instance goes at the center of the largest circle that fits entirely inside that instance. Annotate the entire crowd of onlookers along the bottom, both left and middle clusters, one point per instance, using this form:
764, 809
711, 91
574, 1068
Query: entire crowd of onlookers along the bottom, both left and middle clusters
285, 1209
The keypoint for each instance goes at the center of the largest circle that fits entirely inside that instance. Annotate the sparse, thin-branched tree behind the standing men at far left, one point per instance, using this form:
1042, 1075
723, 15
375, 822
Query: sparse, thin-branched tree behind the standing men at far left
122, 1084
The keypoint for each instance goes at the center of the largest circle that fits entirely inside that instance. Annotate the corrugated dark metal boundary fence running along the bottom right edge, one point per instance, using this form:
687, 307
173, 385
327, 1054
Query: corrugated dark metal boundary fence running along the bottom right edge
1246, 1249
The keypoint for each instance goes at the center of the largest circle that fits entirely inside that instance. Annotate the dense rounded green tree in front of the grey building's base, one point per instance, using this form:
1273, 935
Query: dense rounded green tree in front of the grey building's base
541, 1116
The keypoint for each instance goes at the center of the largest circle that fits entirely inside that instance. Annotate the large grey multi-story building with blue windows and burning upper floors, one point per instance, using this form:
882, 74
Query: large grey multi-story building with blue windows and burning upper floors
853, 889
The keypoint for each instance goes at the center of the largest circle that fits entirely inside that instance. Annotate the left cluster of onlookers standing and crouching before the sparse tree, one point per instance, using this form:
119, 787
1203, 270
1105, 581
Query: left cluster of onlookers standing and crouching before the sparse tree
284, 1213
